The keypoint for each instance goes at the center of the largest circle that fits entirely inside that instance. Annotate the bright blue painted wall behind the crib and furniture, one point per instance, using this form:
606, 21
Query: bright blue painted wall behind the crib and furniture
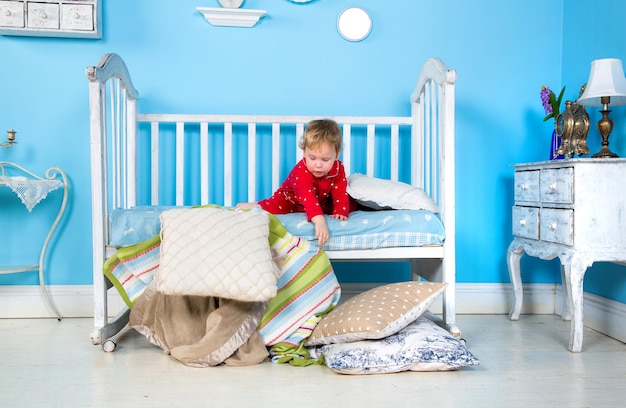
294, 62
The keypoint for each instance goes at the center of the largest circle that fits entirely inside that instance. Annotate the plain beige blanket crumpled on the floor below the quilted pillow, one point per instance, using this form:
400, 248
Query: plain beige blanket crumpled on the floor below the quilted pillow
201, 331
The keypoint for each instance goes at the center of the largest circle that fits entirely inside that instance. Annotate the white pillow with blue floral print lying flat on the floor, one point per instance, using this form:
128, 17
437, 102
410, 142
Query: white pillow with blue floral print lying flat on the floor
420, 346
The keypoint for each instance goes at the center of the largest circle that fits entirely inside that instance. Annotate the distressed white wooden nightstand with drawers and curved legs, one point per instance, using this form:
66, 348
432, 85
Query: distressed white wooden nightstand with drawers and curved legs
574, 210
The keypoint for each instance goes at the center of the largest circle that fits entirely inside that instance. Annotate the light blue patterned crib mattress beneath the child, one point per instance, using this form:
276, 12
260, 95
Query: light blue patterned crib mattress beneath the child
362, 230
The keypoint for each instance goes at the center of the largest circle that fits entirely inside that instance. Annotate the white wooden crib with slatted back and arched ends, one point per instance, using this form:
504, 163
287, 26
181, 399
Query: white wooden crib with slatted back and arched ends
128, 158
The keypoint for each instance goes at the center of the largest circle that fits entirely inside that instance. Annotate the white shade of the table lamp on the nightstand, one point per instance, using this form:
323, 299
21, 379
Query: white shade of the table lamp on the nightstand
606, 79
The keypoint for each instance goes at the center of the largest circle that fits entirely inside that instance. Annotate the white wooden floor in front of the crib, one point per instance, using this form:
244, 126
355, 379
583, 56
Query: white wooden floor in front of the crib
46, 363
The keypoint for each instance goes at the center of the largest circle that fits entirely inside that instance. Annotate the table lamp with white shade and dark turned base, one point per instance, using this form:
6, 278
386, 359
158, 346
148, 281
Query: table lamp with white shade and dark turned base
606, 85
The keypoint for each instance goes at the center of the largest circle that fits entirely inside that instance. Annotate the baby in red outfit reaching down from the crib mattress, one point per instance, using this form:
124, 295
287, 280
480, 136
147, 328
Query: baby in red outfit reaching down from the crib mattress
317, 183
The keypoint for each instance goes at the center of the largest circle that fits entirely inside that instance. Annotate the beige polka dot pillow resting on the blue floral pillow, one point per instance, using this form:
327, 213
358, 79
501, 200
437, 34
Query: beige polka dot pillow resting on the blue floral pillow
376, 313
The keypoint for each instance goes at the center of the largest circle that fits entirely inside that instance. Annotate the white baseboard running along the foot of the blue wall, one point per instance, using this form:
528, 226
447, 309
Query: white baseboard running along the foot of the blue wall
602, 314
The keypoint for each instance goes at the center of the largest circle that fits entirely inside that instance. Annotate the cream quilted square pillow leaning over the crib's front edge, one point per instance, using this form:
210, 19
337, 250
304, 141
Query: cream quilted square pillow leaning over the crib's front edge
216, 252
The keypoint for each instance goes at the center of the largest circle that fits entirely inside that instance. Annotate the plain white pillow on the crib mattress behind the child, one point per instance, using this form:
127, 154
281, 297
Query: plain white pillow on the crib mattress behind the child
382, 194
